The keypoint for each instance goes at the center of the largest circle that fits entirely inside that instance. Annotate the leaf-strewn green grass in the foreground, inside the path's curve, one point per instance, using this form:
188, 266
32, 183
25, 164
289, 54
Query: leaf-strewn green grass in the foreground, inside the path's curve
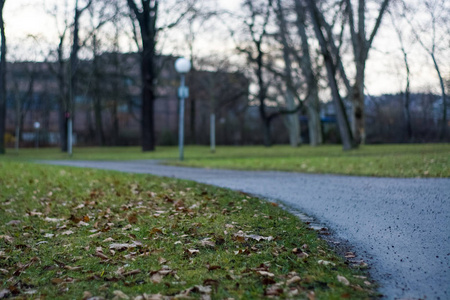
59, 226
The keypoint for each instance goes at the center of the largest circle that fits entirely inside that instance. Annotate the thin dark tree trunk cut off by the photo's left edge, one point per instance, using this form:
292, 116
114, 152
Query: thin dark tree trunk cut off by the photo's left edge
2, 80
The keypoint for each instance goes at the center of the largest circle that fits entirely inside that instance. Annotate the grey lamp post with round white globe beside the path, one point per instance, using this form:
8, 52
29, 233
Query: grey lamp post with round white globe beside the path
182, 66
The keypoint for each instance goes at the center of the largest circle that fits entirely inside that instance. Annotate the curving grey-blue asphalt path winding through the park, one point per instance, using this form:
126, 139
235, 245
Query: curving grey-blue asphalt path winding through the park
399, 226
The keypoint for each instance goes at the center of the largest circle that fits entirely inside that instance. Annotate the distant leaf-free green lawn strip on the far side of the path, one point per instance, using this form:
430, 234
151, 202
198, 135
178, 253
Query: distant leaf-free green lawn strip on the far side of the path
405, 160
